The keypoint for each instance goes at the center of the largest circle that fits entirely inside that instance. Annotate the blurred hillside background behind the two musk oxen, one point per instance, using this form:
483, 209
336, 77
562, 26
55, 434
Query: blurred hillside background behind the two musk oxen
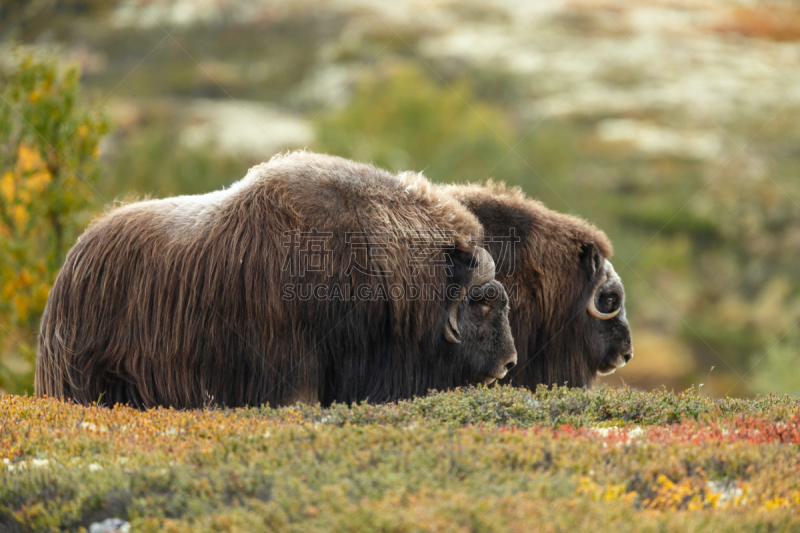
672, 125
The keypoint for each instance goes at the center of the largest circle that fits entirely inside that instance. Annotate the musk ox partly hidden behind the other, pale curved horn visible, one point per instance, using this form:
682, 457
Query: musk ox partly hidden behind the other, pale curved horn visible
567, 302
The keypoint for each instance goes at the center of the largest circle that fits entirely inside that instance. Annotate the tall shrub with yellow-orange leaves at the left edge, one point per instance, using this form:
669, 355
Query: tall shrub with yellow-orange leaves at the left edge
49, 147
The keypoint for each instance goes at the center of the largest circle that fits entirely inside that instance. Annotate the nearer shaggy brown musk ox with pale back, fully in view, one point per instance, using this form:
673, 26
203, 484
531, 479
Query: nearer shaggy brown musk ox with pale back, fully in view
312, 279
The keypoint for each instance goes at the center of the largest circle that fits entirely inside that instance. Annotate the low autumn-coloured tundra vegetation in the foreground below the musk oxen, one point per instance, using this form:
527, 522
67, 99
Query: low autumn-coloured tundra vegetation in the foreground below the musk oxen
487, 459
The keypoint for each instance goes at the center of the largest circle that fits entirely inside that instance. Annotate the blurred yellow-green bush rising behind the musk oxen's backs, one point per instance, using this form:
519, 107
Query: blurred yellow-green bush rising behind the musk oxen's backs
401, 120
